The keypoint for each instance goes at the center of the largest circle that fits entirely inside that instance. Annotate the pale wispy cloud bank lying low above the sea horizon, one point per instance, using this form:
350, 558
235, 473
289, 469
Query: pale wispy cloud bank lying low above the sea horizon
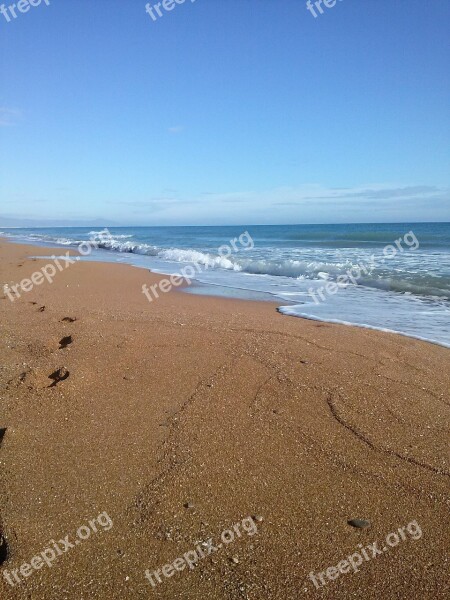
308, 203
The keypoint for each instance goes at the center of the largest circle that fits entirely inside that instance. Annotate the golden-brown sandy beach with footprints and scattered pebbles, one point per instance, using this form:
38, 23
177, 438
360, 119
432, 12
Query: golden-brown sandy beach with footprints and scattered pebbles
180, 418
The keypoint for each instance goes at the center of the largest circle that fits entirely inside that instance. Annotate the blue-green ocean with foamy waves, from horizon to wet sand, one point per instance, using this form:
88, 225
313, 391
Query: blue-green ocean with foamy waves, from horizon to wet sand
393, 277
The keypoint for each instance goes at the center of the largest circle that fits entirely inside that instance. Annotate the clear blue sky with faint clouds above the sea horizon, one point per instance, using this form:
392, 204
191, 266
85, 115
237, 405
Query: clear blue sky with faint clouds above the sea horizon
224, 112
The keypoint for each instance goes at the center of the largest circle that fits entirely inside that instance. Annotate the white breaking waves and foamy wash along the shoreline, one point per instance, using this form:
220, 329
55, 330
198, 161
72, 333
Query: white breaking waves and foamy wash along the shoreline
407, 296
